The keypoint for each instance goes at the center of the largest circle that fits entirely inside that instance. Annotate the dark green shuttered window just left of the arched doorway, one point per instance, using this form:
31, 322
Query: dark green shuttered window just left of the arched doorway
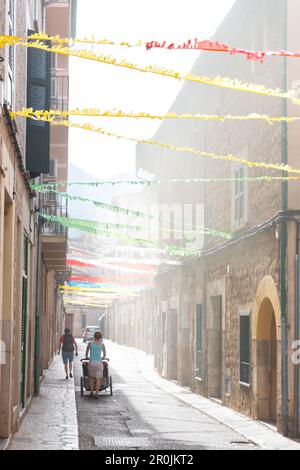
245, 347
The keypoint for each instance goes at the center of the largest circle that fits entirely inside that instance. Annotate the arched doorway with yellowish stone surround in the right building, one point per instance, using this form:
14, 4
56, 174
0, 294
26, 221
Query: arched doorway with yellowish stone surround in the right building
266, 344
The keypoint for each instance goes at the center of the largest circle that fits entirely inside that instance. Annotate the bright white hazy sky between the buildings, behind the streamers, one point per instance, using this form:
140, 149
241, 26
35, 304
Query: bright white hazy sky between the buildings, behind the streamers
109, 87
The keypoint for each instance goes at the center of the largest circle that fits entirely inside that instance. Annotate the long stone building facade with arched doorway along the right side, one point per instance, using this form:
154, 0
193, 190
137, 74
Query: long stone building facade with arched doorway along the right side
224, 324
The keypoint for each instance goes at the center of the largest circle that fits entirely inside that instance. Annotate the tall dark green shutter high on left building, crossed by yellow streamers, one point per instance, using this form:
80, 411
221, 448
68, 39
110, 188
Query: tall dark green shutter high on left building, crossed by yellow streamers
38, 97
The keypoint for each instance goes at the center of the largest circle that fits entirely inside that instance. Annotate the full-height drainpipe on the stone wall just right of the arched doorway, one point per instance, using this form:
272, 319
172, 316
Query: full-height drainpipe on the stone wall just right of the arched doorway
283, 233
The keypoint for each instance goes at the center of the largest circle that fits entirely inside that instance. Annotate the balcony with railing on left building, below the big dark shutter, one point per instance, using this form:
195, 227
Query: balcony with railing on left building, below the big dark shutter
54, 235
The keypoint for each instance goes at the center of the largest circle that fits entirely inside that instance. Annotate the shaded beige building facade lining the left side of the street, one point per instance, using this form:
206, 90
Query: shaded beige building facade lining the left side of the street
31, 311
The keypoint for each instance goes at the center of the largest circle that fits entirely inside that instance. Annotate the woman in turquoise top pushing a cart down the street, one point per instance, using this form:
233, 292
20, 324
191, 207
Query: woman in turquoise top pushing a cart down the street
96, 352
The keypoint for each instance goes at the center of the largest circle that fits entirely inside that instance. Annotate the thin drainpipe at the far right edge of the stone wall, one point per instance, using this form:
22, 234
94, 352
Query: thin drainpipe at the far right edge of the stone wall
296, 331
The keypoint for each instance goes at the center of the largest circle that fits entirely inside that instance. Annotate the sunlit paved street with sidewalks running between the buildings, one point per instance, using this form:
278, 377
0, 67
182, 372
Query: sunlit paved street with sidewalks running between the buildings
145, 412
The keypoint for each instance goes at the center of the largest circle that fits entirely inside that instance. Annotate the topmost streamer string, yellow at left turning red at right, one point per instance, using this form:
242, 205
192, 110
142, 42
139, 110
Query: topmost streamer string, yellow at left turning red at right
190, 44
